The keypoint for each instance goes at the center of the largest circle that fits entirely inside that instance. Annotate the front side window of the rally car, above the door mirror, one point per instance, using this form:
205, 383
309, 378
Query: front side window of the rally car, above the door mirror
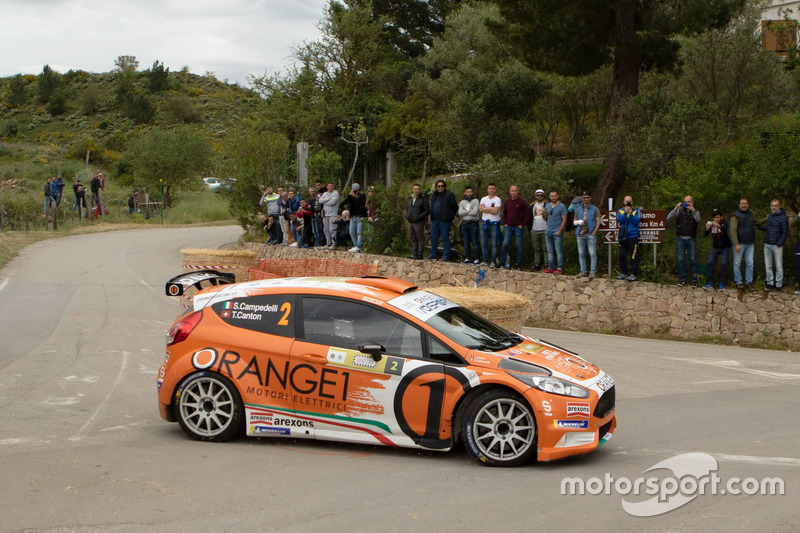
348, 324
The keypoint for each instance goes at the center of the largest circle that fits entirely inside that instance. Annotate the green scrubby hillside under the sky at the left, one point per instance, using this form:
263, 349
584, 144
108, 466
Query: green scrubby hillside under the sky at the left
43, 132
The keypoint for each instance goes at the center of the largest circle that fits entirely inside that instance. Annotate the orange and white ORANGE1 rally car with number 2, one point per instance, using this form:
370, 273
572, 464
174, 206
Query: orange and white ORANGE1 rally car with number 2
373, 360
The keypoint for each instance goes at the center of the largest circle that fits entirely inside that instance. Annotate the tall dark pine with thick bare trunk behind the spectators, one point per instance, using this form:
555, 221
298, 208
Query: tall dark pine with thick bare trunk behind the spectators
580, 36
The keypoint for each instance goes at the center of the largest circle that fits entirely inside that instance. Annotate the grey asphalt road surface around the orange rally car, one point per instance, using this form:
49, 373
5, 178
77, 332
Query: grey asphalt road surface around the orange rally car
82, 447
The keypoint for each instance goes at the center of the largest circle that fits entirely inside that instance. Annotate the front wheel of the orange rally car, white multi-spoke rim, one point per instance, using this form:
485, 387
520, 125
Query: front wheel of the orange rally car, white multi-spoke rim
499, 428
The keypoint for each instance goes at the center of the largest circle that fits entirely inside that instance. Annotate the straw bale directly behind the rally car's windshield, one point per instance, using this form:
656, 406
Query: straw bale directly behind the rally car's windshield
505, 309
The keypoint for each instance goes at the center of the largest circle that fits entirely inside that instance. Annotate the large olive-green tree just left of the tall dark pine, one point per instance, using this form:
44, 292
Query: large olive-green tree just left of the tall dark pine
478, 98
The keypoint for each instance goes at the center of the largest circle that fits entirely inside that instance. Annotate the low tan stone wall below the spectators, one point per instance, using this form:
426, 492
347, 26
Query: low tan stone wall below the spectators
606, 305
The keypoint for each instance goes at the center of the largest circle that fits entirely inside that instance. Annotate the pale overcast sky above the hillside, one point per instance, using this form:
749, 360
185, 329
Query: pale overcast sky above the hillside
231, 38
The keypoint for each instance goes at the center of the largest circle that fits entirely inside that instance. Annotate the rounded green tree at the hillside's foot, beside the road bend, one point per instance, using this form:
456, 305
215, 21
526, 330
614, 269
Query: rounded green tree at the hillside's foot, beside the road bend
175, 158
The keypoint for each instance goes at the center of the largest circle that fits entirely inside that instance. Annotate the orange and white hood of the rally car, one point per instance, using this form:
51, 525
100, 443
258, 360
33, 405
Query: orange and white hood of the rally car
558, 360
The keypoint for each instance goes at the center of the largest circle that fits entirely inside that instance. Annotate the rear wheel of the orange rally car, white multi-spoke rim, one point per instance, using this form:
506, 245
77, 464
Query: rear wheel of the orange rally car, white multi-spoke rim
209, 408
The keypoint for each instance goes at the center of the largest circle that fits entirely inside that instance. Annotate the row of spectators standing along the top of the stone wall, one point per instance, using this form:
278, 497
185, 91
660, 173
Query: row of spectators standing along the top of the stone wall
492, 231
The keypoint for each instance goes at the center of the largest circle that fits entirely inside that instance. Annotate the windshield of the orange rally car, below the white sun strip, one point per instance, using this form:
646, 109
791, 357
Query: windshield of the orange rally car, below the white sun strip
471, 331
